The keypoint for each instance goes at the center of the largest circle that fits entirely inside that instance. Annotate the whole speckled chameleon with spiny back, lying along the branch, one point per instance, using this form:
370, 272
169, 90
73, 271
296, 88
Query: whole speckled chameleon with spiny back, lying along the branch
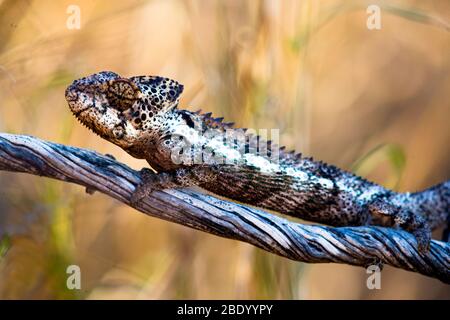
140, 115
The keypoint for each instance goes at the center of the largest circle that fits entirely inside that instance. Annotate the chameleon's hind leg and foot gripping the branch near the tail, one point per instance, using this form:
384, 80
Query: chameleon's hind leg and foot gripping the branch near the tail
389, 215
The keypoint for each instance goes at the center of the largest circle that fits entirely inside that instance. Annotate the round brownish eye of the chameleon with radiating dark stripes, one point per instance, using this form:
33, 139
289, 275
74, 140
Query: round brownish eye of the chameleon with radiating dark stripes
121, 93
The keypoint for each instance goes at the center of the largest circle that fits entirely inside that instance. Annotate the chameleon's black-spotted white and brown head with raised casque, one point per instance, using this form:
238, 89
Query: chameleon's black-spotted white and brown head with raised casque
124, 111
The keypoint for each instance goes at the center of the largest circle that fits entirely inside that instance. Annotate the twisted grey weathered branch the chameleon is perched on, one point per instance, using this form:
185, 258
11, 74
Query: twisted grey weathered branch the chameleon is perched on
360, 246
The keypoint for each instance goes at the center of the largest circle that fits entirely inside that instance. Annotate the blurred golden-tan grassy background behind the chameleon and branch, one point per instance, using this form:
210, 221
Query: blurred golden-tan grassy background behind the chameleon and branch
372, 101
